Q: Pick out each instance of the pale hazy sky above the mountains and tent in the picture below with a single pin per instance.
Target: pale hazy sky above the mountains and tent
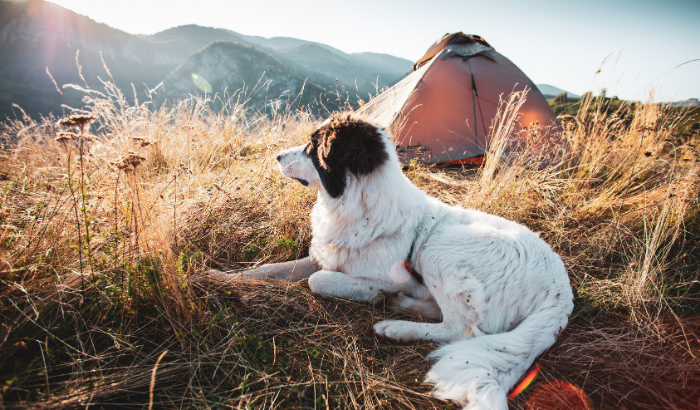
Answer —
(562, 43)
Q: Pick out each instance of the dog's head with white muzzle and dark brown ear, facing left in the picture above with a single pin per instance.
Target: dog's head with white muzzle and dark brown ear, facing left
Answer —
(343, 145)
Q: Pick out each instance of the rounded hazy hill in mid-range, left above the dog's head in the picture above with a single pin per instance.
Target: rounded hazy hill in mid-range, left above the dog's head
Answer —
(229, 66)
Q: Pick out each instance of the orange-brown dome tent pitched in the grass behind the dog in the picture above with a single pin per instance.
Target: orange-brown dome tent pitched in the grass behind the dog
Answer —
(442, 111)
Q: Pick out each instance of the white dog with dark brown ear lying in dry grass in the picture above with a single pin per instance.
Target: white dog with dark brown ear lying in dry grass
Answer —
(500, 293)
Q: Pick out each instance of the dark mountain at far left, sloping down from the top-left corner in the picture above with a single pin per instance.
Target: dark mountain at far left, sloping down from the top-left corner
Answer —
(37, 35)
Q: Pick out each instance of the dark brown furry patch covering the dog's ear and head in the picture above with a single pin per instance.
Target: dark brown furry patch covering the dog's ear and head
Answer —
(345, 143)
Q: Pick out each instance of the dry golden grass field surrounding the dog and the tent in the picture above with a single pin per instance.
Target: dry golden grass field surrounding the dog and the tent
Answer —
(110, 222)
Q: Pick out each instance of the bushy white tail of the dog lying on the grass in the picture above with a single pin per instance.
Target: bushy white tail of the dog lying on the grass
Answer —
(478, 372)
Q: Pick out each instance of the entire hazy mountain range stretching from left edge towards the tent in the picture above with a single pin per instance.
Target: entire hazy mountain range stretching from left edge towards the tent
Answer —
(37, 34)
